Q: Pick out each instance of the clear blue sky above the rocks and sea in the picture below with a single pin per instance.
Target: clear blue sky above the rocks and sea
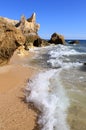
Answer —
(66, 17)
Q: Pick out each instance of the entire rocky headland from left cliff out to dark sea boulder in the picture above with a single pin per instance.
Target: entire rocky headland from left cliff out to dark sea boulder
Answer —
(22, 35)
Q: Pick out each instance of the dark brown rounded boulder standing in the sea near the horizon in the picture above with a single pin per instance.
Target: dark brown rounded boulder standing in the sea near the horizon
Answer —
(57, 39)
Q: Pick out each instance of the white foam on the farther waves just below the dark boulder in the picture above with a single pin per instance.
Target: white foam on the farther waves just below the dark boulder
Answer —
(59, 57)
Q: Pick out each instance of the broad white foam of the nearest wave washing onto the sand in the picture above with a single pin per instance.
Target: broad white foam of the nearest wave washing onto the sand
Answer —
(48, 95)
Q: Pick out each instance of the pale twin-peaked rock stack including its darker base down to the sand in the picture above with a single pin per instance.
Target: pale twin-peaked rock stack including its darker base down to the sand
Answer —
(29, 28)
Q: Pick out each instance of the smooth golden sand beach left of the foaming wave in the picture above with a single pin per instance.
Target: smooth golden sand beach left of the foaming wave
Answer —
(15, 114)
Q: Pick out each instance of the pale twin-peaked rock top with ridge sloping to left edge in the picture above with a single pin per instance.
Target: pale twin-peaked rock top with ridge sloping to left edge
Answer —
(27, 26)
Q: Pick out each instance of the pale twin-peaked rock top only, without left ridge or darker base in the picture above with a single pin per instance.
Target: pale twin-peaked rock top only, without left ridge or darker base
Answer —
(28, 26)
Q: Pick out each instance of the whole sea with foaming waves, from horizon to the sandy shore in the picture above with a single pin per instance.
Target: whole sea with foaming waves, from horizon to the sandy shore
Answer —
(58, 91)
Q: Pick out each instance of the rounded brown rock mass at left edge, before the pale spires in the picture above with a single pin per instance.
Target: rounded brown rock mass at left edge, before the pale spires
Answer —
(10, 39)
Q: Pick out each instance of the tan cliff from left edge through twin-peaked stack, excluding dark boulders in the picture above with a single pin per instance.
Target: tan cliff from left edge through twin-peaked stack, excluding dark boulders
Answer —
(14, 33)
